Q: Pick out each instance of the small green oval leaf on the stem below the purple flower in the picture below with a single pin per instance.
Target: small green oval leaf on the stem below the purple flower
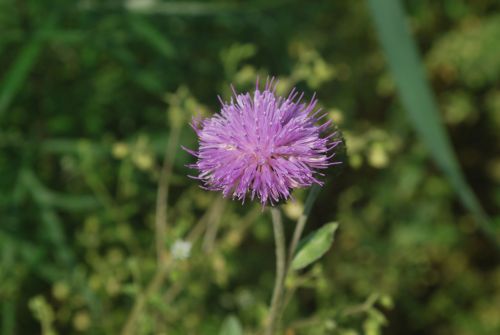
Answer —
(313, 246)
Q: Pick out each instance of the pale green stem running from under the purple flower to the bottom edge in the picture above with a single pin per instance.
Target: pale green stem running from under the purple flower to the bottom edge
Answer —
(279, 238)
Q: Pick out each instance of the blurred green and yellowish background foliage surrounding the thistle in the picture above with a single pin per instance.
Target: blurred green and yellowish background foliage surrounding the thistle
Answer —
(93, 92)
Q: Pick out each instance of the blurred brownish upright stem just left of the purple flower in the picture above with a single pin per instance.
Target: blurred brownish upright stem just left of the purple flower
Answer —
(162, 195)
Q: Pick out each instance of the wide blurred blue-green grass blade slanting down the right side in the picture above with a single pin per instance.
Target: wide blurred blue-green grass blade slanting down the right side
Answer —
(406, 67)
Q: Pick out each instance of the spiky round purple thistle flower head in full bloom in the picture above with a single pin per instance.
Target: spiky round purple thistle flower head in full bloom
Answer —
(263, 146)
